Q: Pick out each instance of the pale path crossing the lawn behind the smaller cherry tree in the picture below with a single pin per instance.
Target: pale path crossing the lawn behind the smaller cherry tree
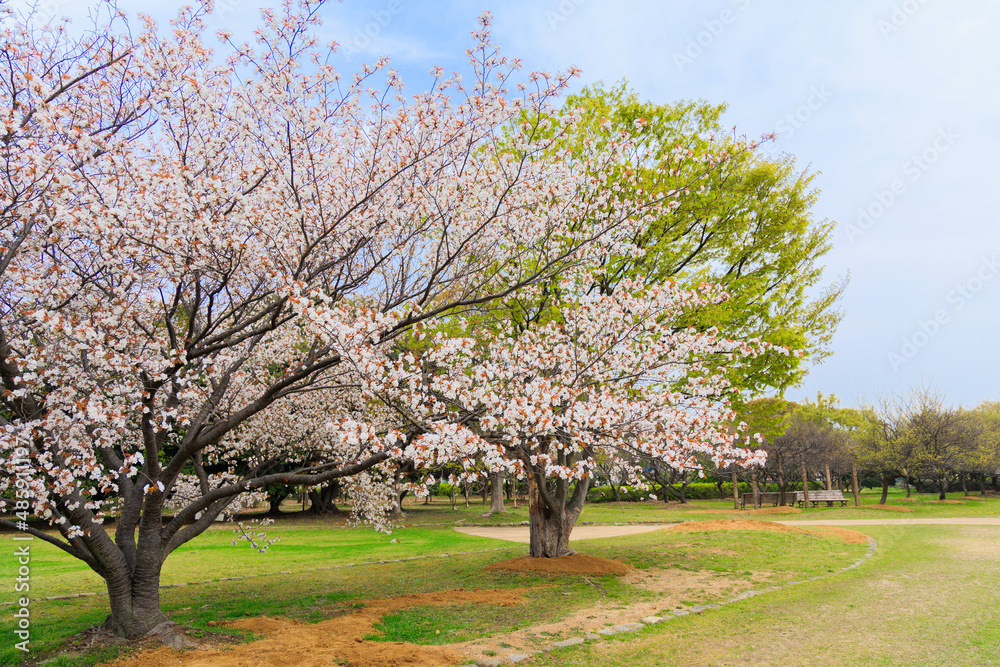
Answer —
(520, 533)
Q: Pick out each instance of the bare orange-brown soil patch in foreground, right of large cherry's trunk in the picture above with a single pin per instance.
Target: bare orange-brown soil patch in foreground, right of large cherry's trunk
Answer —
(337, 640)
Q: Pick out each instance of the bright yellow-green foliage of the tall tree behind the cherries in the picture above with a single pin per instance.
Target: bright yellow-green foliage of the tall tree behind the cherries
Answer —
(743, 221)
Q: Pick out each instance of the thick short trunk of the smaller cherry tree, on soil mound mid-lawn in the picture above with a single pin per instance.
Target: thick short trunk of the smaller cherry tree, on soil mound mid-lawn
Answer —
(552, 515)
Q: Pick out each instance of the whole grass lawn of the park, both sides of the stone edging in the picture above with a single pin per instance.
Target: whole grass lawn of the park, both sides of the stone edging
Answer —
(889, 604)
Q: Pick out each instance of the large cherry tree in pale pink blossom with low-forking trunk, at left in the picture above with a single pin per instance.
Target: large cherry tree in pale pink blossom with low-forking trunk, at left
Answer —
(193, 244)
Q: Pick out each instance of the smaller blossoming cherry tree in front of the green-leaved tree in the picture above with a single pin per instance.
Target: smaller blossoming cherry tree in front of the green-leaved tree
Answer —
(608, 378)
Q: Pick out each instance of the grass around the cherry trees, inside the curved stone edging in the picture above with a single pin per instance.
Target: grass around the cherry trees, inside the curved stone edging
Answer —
(312, 595)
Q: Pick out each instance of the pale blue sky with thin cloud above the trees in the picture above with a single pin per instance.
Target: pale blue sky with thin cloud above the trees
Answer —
(895, 102)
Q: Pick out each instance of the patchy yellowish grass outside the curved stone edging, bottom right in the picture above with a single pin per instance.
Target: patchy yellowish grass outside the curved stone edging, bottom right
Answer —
(923, 599)
